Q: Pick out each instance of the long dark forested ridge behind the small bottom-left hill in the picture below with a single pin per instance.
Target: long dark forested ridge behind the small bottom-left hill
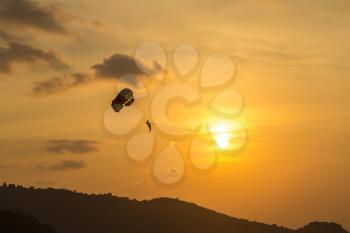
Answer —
(70, 212)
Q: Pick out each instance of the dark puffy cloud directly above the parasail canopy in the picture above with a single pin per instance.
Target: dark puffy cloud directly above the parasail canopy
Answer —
(119, 64)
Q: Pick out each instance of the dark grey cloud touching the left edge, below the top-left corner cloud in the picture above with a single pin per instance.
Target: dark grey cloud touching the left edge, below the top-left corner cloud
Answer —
(21, 53)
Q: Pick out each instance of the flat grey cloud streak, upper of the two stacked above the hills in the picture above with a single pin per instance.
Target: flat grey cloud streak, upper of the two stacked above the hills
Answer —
(73, 146)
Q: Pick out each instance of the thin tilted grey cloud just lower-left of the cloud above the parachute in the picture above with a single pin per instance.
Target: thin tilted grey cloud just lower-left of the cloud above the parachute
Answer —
(59, 84)
